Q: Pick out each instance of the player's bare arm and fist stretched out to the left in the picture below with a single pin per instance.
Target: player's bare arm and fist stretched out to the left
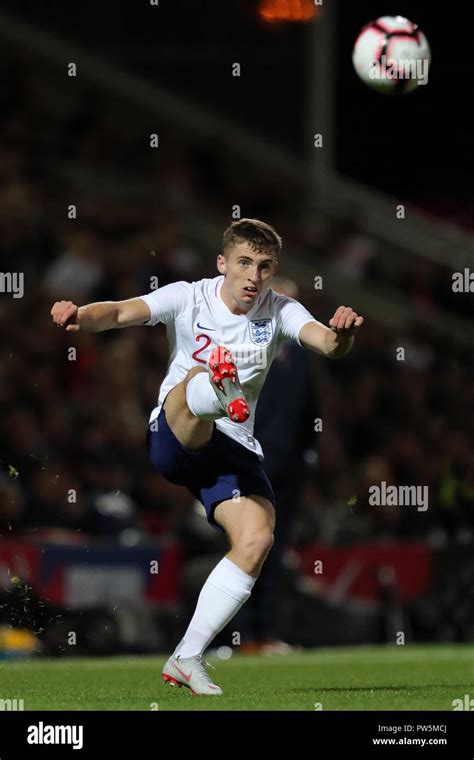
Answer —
(100, 316)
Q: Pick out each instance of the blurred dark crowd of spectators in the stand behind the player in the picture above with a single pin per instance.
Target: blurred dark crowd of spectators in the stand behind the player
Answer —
(73, 425)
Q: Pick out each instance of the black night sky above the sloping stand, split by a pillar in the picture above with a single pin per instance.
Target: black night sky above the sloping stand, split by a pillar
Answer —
(417, 146)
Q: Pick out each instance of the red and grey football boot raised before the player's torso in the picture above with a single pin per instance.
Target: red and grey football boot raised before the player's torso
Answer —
(225, 381)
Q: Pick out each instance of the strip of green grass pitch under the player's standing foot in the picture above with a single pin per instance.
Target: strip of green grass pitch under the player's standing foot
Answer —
(357, 678)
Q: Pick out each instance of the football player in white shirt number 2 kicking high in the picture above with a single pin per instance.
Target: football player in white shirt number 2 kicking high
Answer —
(223, 334)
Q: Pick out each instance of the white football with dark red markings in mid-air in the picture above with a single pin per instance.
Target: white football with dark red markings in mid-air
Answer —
(391, 55)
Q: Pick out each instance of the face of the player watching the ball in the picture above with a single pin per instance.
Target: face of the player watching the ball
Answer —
(247, 273)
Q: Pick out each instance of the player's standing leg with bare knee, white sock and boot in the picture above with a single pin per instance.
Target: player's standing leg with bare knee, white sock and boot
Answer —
(249, 524)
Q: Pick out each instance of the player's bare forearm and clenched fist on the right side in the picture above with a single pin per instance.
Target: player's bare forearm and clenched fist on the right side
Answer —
(334, 341)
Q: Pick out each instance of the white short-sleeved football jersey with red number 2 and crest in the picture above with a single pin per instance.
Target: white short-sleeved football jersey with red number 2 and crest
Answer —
(197, 320)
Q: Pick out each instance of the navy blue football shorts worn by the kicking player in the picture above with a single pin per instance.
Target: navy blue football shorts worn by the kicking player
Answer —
(221, 469)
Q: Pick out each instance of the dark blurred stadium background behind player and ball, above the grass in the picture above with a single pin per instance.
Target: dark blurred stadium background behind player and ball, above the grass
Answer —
(84, 564)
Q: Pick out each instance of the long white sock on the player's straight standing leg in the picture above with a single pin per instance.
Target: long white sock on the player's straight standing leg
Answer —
(223, 594)
